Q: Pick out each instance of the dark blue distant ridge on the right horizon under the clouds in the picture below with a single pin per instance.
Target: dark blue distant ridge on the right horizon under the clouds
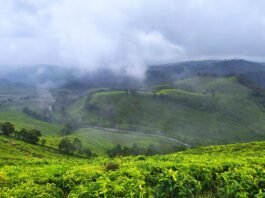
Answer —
(170, 72)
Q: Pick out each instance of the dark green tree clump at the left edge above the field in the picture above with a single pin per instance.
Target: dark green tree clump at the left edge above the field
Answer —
(31, 136)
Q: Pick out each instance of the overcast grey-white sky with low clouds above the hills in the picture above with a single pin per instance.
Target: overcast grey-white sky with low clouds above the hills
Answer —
(129, 34)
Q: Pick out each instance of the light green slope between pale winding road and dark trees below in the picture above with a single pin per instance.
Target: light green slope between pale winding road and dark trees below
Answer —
(100, 140)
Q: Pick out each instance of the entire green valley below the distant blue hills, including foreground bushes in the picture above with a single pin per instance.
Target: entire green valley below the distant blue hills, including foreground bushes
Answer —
(205, 132)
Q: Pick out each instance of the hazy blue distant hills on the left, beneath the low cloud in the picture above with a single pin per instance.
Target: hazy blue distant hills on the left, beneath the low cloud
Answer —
(74, 79)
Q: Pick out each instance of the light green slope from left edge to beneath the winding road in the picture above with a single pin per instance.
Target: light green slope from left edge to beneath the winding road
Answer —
(97, 140)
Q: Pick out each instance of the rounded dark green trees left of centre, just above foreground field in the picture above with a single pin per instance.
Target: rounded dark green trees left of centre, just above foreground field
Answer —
(68, 147)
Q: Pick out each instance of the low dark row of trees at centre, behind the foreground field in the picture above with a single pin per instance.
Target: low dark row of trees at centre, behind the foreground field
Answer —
(119, 150)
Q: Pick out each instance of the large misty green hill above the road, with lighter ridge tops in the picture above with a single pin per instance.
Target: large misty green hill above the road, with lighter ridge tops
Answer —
(195, 116)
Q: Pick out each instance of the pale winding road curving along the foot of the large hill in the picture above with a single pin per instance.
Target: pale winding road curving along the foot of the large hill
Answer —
(139, 133)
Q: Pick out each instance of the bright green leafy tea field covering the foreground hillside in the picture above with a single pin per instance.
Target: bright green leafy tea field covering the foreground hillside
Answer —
(223, 171)
